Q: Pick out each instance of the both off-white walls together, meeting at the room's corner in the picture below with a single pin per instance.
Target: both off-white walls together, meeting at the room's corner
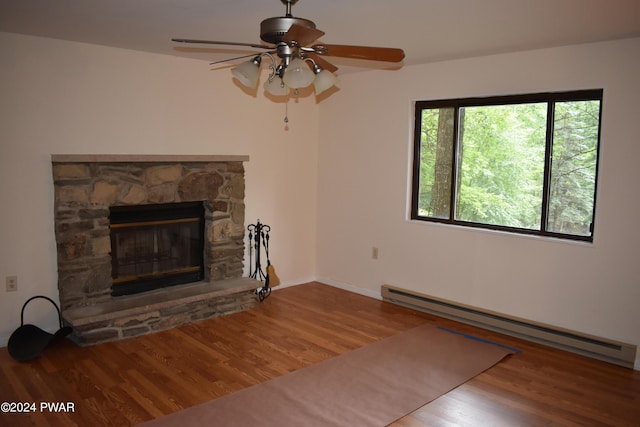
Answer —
(61, 97)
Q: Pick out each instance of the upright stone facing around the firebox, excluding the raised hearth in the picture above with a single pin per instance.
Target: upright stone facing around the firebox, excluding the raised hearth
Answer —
(86, 186)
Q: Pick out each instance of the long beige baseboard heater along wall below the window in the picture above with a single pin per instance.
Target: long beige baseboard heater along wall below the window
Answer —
(598, 348)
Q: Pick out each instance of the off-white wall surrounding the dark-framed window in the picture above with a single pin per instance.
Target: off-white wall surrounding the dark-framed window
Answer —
(364, 163)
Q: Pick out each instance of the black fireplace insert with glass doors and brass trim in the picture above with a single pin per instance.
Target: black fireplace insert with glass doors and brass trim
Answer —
(154, 246)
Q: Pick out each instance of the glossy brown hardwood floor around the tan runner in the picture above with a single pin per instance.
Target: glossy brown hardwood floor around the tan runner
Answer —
(131, 381)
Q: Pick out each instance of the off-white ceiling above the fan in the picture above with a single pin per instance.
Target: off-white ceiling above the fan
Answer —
(427, 30)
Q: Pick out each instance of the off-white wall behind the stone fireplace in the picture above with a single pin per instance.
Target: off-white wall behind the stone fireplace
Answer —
(68, 98)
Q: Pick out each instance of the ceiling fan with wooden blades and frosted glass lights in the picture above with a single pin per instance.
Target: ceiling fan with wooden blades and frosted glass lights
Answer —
(300, 61)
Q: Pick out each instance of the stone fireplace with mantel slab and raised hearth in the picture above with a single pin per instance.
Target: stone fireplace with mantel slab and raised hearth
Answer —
(89, 187)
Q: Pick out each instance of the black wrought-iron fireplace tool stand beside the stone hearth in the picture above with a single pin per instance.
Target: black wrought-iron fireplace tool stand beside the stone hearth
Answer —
(258, 241)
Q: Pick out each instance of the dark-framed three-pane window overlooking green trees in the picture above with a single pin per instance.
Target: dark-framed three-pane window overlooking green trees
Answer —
(523, 164)
